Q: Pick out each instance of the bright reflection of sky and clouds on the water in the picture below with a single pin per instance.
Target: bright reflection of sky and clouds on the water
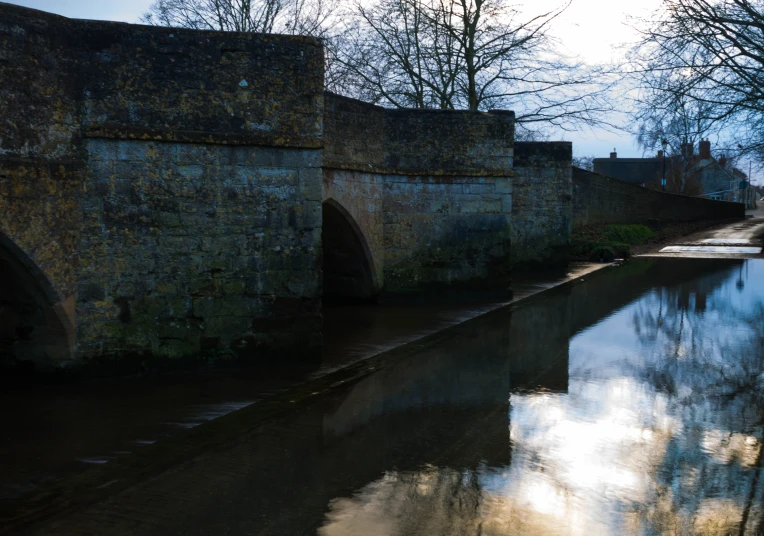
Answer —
(659, 432)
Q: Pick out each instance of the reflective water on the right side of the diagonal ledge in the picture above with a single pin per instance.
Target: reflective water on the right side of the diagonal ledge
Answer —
(631, 403)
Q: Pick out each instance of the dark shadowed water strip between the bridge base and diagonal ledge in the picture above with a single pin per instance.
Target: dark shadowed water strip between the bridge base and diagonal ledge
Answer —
(49, 433)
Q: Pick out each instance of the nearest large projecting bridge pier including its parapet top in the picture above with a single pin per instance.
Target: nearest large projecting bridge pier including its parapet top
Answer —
(211, 230)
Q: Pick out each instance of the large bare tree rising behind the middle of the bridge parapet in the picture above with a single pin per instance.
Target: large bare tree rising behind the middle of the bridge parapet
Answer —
(469, 54)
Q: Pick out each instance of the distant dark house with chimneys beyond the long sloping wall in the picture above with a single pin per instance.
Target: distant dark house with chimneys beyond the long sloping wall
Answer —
(692, 174)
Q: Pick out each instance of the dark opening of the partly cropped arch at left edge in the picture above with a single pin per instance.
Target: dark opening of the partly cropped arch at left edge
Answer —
(36, 324)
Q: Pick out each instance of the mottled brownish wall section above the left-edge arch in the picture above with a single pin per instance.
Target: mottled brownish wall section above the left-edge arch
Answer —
(40, 162)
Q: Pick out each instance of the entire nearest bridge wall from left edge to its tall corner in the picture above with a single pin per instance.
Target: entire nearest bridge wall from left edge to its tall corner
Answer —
(167, 178)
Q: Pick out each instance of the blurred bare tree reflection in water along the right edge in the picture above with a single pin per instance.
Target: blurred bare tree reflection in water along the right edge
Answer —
(710, 366)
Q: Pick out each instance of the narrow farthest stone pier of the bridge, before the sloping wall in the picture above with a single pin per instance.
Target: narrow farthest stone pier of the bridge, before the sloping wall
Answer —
(541, 203)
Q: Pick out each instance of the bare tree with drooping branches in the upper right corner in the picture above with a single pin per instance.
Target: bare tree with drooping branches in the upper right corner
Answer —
(708, 54)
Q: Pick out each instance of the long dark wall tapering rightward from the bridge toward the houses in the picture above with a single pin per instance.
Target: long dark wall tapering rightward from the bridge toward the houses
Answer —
(600, 199)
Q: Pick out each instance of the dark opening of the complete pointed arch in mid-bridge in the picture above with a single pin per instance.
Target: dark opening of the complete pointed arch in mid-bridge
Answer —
(348, 264)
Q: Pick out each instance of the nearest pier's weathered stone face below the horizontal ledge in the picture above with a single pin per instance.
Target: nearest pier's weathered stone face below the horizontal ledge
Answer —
(187, 247)
